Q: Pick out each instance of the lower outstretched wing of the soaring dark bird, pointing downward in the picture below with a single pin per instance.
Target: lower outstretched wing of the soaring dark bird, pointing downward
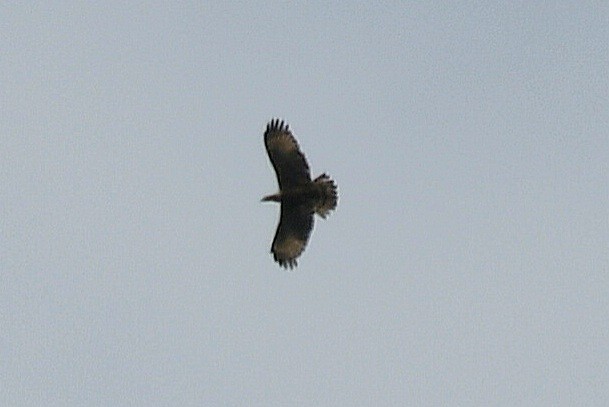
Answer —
(293, 231)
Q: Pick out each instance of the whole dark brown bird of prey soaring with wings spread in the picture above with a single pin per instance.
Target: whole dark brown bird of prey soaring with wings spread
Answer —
(299, 196)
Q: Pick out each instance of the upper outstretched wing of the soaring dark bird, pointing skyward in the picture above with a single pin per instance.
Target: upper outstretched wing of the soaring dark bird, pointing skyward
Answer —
(288, 161)
